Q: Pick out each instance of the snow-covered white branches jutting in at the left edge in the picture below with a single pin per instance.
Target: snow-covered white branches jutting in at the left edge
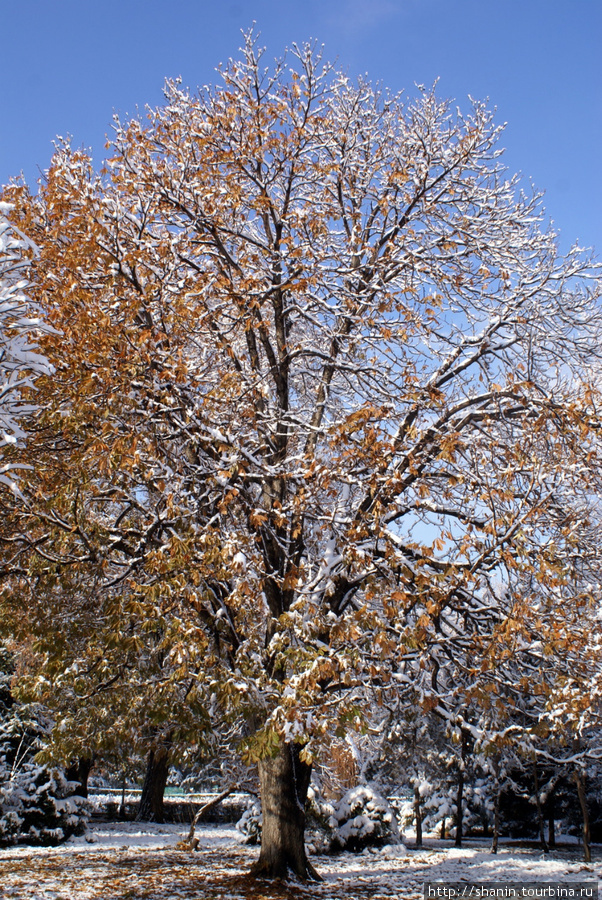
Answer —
(20, 324)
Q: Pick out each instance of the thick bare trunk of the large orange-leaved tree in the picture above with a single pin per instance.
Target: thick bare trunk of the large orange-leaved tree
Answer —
(284, 780)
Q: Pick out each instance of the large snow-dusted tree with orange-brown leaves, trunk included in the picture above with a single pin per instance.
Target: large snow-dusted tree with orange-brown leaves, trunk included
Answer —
(320, 373)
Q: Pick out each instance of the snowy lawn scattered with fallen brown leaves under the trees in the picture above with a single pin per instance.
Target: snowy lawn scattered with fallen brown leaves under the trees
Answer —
(142, 862)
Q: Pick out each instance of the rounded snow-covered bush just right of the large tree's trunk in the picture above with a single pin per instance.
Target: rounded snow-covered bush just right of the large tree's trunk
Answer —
(362, 818)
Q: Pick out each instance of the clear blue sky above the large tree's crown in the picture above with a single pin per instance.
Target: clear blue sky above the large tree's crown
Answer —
(67, 65)
